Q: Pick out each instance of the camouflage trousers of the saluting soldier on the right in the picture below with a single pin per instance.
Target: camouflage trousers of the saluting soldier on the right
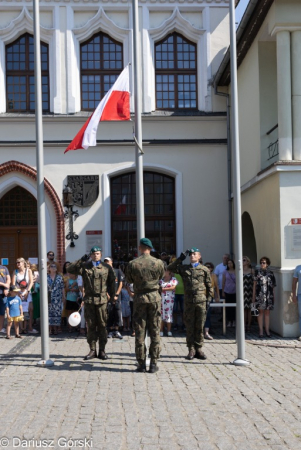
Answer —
(194, 317)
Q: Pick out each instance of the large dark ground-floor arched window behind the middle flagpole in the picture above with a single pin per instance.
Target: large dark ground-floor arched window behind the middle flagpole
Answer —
(159, 205)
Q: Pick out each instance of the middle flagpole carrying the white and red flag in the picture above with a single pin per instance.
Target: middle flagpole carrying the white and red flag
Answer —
(138, 126)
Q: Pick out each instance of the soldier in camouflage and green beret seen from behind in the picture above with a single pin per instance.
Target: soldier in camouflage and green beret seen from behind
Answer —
(145, 272)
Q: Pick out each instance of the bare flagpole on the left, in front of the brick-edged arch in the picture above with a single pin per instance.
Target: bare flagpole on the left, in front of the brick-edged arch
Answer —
(45, 361)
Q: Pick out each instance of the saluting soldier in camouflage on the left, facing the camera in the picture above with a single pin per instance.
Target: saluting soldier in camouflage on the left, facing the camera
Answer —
(99, 282)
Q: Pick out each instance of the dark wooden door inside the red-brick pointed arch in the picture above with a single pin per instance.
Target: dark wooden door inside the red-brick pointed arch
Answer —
(18, 226)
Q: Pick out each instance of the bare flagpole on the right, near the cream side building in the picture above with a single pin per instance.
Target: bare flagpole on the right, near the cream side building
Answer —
(240, 332)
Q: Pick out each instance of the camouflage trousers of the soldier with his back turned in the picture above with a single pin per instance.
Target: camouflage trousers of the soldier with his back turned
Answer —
(147, 316)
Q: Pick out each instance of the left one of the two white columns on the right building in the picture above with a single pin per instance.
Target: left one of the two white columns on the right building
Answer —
(284, 96)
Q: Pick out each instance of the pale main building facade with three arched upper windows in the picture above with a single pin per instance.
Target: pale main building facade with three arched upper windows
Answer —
(84, 47)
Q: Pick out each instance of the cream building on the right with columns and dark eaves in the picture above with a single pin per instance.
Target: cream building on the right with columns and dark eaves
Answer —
(269, 97)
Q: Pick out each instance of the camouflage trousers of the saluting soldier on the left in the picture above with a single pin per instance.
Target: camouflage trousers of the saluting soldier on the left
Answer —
(96, 318)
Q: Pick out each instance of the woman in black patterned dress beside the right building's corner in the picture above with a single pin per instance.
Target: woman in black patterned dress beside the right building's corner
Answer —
(263, 294)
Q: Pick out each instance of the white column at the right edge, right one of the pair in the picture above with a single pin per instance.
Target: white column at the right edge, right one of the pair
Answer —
(296, 93)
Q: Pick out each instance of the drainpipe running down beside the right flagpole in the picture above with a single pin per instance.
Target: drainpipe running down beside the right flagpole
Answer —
(229, 165)
